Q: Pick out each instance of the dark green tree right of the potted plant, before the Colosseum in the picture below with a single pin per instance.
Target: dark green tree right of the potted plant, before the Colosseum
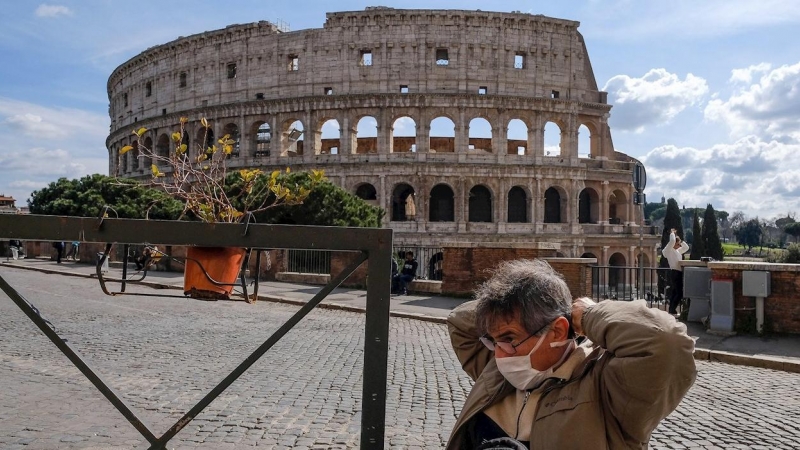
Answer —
(326, 204)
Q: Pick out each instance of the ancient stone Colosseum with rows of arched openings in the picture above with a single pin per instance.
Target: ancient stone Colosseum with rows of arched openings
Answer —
(437, 116)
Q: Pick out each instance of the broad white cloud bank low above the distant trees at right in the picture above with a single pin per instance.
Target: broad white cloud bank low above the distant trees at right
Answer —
(753, 175)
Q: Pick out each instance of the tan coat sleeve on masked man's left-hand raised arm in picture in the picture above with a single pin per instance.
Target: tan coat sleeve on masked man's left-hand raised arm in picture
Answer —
(473, 355)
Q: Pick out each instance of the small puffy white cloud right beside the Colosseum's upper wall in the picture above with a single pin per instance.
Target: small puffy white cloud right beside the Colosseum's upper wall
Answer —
(654, 99)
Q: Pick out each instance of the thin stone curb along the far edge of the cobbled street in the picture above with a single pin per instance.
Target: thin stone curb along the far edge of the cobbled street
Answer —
(702, 354)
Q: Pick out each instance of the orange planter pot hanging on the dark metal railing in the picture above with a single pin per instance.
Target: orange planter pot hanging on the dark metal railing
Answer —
(221, 263)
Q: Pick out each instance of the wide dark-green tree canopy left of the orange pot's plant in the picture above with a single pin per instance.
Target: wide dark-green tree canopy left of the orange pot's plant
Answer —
(87, 196)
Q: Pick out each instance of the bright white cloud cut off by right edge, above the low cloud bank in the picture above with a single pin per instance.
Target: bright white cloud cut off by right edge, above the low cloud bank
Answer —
(770, 107)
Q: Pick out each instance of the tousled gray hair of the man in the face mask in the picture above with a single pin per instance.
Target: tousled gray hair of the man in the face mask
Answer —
(528, 290)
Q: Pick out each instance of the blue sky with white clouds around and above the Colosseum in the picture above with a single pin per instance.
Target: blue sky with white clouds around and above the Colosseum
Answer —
(705, 93)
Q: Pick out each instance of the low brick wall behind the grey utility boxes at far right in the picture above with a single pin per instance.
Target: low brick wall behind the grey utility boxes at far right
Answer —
(781, 308)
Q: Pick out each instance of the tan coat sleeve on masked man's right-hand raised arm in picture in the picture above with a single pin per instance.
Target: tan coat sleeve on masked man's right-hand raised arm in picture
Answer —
(651, 366)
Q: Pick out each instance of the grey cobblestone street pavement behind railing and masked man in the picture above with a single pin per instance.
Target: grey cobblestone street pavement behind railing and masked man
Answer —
(163, 354)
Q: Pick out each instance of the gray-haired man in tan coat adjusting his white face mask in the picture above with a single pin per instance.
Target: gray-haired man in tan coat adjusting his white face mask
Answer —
(539, 384)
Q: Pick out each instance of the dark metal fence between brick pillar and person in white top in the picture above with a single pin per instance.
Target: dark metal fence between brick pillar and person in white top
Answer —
(631, 283)
